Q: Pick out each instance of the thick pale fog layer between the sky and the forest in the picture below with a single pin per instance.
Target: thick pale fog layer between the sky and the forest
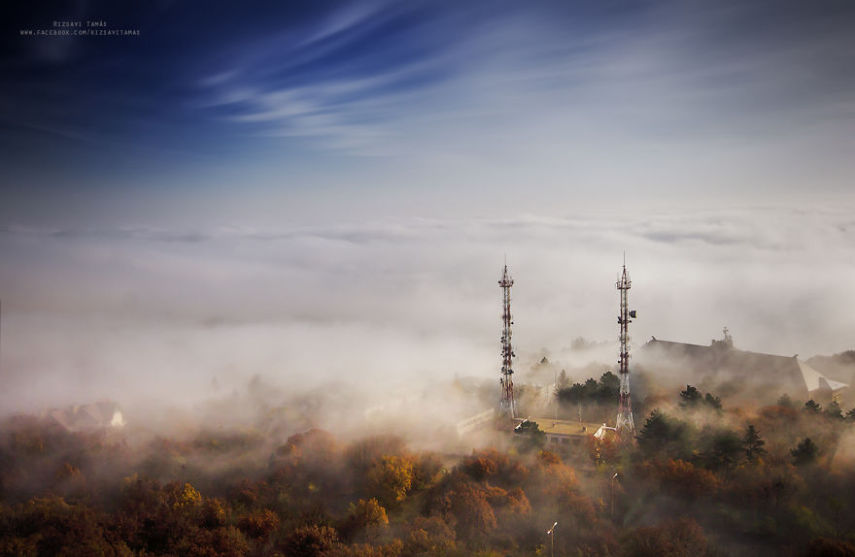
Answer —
(182, 315)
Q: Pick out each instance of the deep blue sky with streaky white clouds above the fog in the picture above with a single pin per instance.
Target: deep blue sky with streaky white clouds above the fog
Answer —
(220, 107)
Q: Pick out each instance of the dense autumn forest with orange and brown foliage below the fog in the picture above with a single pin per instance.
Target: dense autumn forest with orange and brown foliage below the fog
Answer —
(698, 478)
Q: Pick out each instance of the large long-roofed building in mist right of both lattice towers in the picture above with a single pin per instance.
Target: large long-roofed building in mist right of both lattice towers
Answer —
(737, 373)
